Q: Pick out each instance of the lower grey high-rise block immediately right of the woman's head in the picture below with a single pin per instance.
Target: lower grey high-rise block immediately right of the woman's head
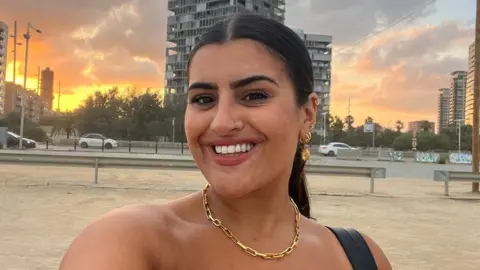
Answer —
(320, 50)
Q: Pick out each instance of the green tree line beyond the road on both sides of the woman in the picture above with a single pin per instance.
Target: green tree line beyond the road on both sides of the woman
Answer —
(144, 116)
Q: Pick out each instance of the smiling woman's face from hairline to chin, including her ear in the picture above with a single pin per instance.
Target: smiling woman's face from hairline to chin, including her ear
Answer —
(242, 122)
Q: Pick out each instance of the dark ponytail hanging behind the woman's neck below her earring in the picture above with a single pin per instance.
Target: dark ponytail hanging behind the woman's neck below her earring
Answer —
(297, 185)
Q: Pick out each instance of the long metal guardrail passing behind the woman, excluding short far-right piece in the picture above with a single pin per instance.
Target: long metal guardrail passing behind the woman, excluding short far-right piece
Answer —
(104, 160)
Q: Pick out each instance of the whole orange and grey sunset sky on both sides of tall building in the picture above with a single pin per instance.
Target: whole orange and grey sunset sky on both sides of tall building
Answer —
(94, 45)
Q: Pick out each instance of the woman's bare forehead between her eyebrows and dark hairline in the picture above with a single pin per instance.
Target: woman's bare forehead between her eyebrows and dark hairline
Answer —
(233, 60)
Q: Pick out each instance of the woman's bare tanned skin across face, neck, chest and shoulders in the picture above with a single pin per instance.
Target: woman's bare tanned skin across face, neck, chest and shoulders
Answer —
(251, 199)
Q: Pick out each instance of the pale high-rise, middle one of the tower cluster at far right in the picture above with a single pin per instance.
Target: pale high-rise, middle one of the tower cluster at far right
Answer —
(458, 85)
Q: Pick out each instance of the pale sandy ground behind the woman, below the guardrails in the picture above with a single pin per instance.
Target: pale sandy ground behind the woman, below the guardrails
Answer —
(43, 208)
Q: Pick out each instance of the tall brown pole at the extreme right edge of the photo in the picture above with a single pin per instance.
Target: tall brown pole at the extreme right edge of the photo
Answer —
(476, 101)
